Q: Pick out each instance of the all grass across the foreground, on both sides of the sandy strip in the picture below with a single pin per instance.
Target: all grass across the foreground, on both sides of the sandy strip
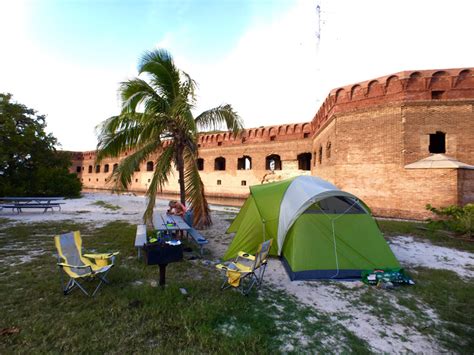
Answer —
(133, 314)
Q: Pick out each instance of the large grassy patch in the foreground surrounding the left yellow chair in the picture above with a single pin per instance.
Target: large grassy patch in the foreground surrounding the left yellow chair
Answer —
(130, 315)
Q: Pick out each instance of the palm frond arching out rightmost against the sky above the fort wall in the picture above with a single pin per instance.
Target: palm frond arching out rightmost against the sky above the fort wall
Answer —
(215, 119)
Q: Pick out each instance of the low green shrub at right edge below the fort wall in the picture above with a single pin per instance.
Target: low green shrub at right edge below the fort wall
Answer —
(455, 218)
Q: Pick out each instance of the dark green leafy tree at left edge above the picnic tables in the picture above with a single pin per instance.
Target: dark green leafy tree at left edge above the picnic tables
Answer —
(30, 165)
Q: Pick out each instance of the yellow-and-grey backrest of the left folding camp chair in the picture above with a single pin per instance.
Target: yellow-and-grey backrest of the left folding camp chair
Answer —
(69, 248)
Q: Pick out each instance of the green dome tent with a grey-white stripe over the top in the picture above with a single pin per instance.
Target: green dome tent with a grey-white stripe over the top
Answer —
(319, 231)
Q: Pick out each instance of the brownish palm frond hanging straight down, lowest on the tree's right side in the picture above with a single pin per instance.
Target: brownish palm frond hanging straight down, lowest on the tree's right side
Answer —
(195, 191)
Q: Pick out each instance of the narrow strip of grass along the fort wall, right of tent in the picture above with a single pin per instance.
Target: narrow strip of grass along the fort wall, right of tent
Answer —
(420, 230)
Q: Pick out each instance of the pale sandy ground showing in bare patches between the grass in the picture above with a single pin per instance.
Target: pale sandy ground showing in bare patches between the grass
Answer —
(333, 298)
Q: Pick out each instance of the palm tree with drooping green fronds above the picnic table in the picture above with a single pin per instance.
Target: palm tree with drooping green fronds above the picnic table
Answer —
(156, 121)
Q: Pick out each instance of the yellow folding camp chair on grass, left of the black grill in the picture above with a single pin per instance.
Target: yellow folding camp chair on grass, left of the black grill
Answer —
(80, 267)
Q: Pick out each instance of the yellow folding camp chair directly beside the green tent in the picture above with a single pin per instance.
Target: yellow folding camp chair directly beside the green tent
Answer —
(246, 270)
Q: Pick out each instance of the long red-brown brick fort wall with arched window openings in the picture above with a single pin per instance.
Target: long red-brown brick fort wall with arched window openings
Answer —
(360, 139)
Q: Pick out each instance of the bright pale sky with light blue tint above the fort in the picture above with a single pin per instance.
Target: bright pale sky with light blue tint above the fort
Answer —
(275, 61)
